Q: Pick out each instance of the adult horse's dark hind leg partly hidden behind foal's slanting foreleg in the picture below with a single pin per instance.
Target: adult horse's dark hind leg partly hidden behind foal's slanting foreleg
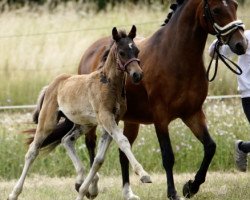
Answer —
(90, 141)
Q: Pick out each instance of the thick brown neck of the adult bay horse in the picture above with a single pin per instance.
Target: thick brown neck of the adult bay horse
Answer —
(184, 32)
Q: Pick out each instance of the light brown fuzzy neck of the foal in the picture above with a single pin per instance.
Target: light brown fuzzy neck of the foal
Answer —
(110, 67)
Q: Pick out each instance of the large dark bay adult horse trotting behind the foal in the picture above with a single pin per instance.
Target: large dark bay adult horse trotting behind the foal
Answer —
(175, 83)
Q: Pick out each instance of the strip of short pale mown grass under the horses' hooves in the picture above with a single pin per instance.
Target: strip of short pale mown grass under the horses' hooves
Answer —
(219, 186)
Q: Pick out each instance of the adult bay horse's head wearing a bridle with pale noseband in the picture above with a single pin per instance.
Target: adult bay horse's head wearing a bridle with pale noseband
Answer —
(220, 19)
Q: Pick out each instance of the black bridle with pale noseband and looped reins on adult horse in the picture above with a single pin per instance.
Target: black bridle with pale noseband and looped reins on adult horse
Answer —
(221, 31)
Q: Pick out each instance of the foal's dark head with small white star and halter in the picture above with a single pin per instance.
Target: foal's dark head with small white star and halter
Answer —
(127, 53)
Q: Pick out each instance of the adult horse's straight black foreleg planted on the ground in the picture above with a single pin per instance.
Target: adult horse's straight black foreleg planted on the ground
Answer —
(167, 158)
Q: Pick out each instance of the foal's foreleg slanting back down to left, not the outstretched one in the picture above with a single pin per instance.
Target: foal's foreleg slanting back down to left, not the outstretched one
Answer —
(98, 161)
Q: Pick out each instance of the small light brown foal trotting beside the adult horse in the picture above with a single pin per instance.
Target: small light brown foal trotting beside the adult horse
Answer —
(88, 100)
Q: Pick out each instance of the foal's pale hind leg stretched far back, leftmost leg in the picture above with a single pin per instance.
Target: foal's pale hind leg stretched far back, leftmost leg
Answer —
(47, 122)
